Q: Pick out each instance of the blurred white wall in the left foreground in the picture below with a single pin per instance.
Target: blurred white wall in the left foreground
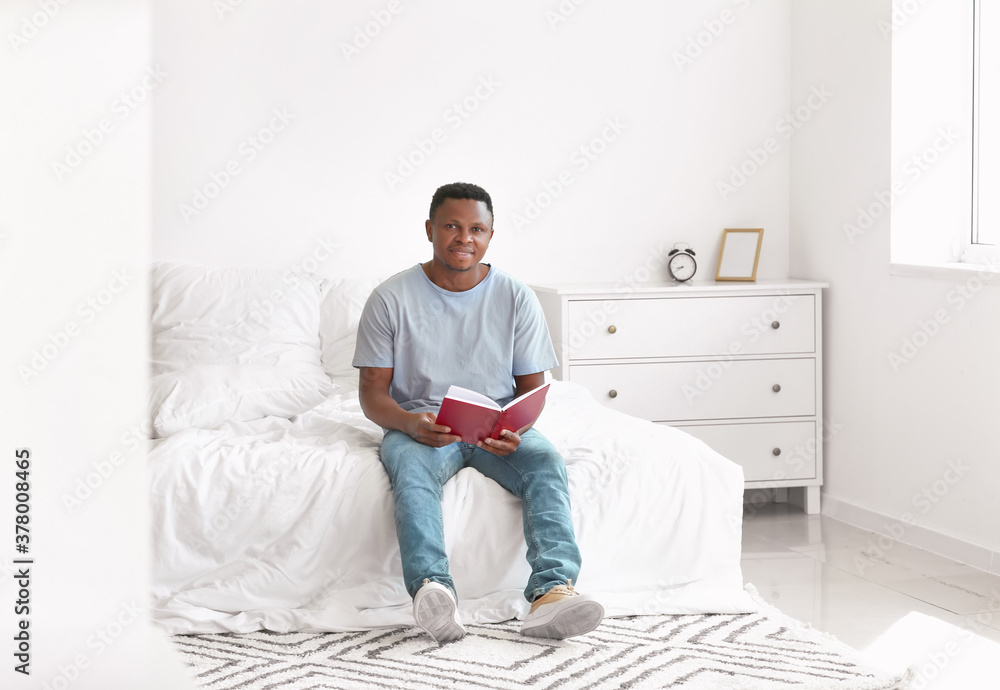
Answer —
(74, 245)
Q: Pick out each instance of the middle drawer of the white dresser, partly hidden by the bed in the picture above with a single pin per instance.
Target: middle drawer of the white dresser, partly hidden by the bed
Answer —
(701, 390)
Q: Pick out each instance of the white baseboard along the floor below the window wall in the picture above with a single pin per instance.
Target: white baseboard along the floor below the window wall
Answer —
(915, 535)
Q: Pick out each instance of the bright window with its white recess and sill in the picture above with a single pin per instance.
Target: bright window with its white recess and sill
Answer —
(945, 131)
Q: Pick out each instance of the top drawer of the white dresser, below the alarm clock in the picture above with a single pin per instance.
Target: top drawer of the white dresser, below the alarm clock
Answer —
(691, 327)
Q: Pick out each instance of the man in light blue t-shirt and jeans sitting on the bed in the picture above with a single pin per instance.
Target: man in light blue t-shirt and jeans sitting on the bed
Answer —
(456, 320)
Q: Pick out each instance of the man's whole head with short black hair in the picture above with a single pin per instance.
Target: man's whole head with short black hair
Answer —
(460, 227)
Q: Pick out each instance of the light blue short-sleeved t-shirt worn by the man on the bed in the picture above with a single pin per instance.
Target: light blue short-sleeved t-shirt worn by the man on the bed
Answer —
(433, 338)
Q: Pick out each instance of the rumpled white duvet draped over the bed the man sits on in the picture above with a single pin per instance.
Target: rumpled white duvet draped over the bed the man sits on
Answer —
(287, 524)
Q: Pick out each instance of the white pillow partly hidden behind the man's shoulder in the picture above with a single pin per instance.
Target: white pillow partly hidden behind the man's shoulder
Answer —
(340, 312)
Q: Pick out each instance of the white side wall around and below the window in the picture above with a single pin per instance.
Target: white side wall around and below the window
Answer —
(913, 444)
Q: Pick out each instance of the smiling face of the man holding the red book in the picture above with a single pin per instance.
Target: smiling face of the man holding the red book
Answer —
(460, 232)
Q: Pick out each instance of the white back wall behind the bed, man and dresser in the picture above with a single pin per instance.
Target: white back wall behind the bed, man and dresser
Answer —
(554, 86)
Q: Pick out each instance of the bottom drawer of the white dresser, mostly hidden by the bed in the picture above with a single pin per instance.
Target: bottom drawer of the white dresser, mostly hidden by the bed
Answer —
(754, 445)
